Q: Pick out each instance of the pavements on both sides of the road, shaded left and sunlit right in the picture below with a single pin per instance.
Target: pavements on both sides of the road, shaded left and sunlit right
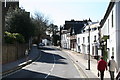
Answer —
(78, 58)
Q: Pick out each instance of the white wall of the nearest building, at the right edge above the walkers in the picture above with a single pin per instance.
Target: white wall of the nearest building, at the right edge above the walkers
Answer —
(113, 32)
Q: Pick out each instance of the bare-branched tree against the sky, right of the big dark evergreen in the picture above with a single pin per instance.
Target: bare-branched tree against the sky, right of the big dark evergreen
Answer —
(41, 25)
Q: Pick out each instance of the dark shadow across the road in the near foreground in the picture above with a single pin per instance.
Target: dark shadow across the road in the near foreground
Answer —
(31, 75)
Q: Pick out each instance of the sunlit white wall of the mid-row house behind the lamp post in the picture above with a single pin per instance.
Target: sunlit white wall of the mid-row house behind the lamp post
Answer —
(84, 46)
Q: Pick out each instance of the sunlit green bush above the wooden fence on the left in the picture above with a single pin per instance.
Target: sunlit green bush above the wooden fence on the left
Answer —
(14, 37)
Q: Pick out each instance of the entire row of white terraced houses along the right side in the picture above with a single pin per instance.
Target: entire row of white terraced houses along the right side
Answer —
(104, 36)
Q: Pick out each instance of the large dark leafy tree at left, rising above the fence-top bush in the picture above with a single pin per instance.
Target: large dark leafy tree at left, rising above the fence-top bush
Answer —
(18, 21)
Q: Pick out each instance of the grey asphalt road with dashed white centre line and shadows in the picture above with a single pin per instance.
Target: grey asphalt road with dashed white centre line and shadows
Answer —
(53, 63)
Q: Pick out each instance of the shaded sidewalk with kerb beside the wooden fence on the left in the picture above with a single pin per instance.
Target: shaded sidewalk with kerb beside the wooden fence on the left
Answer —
(16, 65)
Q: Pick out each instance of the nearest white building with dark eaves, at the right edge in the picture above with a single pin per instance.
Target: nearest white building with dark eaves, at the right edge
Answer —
(110, 28)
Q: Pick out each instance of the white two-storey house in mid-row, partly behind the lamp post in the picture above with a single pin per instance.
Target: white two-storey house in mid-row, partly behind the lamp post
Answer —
(83, 39)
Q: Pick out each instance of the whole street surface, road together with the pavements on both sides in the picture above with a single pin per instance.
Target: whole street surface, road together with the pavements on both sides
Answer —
(54, 63)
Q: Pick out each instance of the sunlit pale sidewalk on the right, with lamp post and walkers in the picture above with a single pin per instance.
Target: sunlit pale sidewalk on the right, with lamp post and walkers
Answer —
(80, 60)
